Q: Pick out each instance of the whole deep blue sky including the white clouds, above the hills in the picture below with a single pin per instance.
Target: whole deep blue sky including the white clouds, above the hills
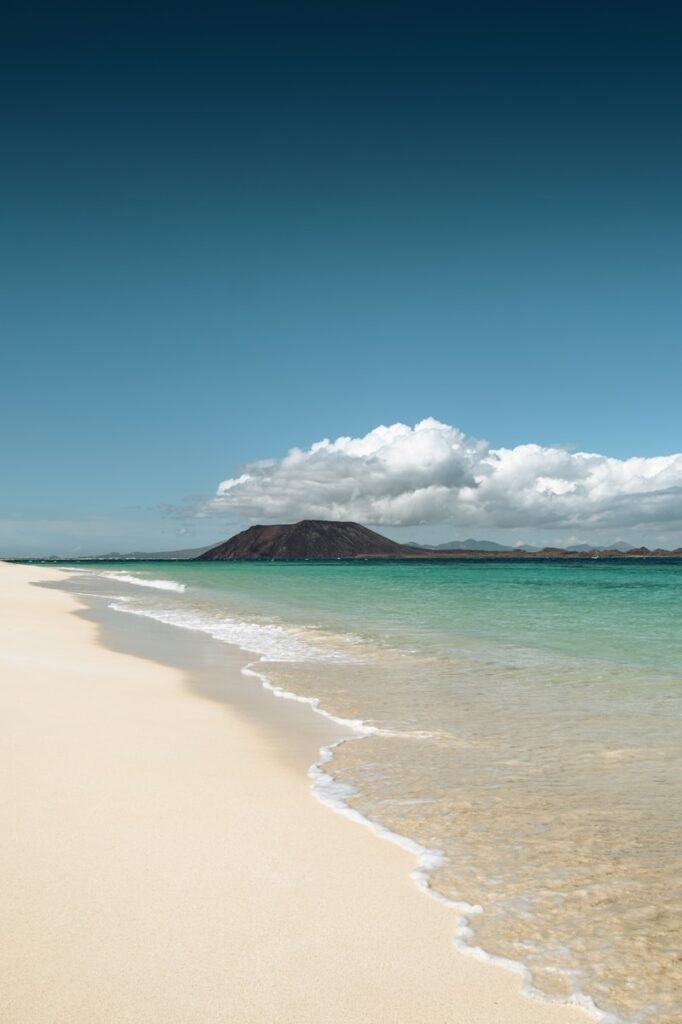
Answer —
(230, 232)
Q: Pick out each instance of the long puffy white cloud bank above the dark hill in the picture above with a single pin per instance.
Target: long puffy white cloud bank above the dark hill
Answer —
(433, 474)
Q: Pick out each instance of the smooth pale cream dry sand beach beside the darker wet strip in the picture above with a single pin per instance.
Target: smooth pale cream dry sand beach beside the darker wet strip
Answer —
(163, 862)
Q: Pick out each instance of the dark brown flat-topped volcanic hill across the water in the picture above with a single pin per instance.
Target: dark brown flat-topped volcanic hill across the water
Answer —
(315, 539)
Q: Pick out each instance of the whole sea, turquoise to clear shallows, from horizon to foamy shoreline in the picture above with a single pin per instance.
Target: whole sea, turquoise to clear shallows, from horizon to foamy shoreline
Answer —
(528, 723)
